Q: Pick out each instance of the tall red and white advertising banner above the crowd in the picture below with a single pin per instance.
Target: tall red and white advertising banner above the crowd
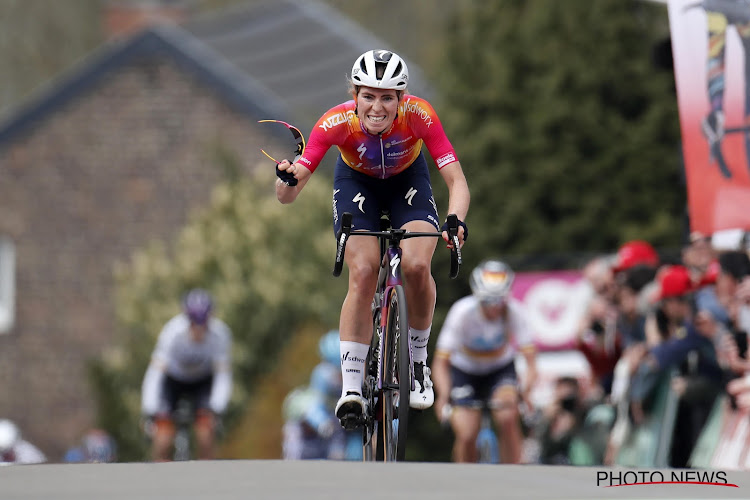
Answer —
(711, 47)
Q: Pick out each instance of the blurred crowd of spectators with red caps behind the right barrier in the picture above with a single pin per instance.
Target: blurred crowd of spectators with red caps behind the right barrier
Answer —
(667, 345)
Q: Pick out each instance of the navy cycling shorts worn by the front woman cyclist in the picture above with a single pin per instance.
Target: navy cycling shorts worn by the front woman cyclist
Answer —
(407, 196)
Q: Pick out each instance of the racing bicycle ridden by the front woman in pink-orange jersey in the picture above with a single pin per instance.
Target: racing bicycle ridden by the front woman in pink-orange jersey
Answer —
(389, 370)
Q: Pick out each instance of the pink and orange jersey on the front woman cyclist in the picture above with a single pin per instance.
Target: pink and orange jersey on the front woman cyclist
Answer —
(384, 155)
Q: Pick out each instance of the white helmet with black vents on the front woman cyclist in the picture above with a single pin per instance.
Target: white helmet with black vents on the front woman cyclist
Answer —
(381, 69)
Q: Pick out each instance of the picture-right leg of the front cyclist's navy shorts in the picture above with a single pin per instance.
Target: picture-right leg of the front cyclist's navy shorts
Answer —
(410, 197)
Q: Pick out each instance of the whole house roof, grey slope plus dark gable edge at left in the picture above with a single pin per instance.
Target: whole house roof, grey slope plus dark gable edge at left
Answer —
(272, 59)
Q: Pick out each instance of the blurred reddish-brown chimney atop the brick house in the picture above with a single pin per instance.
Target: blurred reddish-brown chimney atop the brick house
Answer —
(125, 17)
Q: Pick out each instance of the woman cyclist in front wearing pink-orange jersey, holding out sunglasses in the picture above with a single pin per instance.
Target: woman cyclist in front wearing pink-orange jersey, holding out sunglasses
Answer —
(379, 135)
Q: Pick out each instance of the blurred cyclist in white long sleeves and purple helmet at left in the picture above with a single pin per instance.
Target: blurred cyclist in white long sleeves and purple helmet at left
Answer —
(191, 361)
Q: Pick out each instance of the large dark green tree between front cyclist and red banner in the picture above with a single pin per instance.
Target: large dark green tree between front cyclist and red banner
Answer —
(567, 132)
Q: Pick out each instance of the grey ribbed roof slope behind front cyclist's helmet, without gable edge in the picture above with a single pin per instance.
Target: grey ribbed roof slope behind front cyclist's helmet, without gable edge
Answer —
(300, 50)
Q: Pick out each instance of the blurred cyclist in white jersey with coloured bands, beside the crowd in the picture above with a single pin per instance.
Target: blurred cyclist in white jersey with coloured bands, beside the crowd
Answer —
(474, 363)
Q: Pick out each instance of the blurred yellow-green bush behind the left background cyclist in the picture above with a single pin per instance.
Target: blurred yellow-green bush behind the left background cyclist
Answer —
(269, 268)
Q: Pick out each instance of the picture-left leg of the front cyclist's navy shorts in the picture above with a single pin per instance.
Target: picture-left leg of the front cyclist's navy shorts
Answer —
(356, 193)
